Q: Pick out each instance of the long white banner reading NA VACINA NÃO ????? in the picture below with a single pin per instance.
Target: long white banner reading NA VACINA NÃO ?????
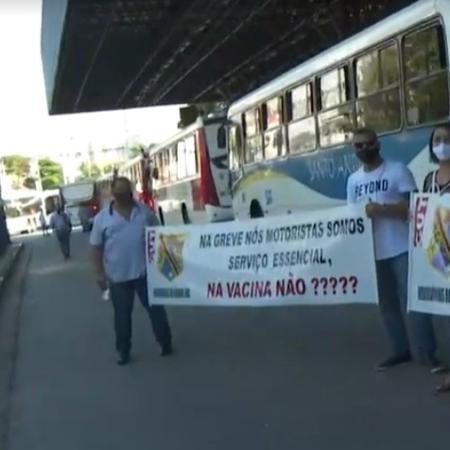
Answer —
(317, 258)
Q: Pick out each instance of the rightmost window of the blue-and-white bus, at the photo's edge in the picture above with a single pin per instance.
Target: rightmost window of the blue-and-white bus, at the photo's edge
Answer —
(426, 79)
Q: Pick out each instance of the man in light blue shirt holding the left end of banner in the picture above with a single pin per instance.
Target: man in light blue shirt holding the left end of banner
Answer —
(118, 242)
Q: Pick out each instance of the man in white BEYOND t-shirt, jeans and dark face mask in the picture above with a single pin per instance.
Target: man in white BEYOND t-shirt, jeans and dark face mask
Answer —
(384, 186)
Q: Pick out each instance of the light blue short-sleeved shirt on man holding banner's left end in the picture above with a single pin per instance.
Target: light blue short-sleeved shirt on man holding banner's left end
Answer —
(123, 241)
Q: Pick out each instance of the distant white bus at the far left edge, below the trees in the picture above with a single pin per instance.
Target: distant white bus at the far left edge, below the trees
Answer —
(22, 212)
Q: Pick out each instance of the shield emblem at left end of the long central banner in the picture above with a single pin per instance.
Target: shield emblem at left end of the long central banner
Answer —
(170, 255)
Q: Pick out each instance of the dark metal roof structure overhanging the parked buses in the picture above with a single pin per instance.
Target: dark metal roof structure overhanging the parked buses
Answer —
(112, 54)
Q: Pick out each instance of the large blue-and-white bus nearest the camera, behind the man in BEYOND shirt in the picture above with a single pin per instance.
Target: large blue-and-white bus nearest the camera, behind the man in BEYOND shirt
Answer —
(289, 141)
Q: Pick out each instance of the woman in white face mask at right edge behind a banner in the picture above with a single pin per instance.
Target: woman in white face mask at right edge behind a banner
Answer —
(438, 182)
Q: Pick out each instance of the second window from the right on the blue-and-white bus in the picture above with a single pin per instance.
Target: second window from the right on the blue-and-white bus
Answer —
(378, 90)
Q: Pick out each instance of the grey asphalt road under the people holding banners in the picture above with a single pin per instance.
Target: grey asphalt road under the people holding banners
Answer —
(254, 379)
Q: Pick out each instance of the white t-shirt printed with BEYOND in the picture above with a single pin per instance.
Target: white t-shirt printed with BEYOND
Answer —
(386, 185)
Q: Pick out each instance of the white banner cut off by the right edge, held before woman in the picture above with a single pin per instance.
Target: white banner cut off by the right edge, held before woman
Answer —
(429, 254)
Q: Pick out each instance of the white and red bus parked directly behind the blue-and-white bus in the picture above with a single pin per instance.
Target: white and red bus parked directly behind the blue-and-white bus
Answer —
(186, 178)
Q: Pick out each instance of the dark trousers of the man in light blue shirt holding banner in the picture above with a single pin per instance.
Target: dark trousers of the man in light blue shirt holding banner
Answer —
(122, 296)
